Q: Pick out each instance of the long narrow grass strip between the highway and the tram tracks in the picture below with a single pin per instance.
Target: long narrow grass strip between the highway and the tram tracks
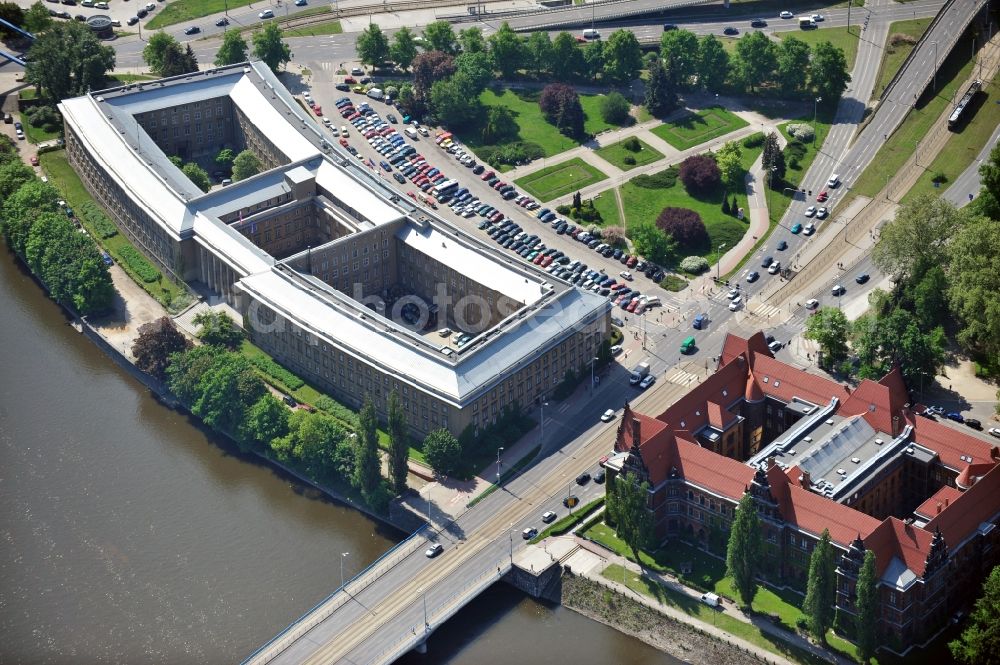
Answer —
(900, 147)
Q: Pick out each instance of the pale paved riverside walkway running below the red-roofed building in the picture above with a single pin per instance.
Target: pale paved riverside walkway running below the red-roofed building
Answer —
(591, 560)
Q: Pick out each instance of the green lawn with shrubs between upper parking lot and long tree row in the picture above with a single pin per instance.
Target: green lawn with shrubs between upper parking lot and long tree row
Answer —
(532, 125)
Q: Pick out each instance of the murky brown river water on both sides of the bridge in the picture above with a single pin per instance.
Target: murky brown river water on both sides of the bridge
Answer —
(131, 535)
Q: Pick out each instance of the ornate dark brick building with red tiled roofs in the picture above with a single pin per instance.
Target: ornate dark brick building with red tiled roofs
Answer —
(922, 495)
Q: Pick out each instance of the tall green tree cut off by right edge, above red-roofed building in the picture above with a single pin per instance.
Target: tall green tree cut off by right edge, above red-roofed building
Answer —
(972, 269)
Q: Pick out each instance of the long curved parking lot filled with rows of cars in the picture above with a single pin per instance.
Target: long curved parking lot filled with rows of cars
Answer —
(420, 161)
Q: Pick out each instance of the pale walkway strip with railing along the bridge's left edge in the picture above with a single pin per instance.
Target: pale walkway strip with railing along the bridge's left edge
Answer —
(337, 599)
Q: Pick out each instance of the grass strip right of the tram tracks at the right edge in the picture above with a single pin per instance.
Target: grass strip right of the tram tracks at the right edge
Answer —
(963, 145)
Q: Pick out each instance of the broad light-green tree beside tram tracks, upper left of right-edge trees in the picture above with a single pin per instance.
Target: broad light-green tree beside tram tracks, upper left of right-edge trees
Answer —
(916, 238)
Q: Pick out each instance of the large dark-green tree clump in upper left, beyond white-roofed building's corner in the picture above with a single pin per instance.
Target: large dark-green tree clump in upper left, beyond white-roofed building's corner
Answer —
(66, 60)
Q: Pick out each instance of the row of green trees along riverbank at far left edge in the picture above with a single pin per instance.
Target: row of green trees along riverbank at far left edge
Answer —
(37, 229)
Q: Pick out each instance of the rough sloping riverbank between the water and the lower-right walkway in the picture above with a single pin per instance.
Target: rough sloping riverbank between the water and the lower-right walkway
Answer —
(599, 603)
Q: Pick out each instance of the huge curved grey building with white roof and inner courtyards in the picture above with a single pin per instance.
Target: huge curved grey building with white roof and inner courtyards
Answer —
(343, 281)
